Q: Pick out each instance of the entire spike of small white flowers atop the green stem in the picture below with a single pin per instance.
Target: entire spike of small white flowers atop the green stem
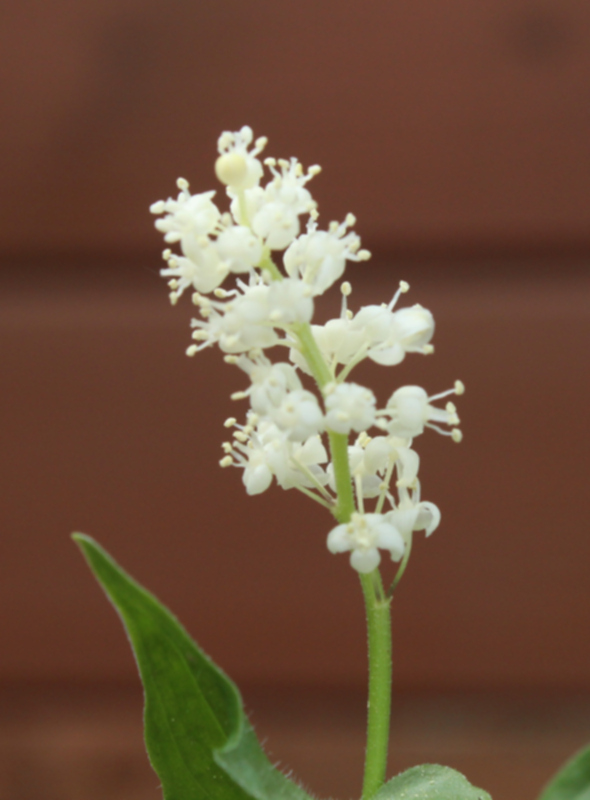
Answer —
(287, 428)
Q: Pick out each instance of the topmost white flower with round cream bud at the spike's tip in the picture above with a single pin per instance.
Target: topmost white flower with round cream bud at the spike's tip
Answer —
(237, 167)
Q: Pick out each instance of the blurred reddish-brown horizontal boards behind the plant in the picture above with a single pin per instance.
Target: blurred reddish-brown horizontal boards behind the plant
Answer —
(459, 135)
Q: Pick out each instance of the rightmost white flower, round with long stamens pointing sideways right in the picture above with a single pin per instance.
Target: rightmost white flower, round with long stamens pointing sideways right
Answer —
(410, 411)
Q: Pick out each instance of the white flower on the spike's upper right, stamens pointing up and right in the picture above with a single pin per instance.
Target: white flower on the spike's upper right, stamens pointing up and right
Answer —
(319, 257)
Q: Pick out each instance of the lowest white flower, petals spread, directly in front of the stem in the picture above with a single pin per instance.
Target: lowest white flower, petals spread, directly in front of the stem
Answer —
(364, 535)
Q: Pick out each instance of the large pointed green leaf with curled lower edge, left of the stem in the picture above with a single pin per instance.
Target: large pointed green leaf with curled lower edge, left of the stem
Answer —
(197, 736)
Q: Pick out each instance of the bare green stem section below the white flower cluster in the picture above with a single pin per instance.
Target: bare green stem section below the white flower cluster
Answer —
(379, 706)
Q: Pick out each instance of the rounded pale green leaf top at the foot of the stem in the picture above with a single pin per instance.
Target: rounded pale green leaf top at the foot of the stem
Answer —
(430, 782)
